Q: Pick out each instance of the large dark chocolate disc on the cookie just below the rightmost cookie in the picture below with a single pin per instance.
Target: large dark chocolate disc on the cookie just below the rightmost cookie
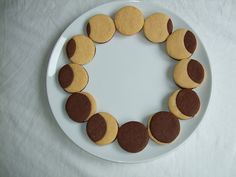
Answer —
(188, 102)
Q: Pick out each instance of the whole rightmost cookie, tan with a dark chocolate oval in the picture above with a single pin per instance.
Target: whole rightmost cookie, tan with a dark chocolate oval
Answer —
(188, 73)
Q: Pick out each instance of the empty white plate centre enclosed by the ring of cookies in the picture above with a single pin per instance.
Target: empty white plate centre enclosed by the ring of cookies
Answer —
(130, 77)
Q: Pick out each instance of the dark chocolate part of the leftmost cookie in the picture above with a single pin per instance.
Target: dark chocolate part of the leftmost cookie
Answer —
(65, 77)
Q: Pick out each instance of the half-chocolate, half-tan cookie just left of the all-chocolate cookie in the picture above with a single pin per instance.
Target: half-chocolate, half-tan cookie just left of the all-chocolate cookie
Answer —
(102, 128)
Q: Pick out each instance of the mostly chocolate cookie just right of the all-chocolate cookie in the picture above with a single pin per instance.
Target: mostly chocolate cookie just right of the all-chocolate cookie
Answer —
(163, 127)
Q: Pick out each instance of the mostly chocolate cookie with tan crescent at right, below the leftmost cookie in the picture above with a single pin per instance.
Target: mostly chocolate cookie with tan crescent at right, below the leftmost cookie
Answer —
(80, 106)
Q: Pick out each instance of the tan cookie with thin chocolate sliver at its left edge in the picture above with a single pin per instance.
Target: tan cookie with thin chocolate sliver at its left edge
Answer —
(101, 28)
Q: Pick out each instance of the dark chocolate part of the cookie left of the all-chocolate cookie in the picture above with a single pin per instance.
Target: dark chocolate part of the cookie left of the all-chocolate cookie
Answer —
(96, 127)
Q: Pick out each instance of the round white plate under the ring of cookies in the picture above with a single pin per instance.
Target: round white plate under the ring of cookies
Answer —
(130, 78)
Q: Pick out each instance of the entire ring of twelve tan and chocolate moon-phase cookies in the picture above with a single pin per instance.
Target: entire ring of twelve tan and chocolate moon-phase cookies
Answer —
(162, 127)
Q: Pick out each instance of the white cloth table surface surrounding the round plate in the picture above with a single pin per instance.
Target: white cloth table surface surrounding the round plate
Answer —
(31, 142)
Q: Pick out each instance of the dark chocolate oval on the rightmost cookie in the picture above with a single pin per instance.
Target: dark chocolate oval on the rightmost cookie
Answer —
(195, 71)
